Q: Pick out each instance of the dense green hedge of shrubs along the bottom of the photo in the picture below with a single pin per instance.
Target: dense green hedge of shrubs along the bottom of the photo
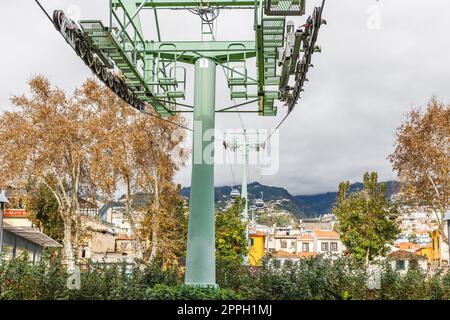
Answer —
(315, 278)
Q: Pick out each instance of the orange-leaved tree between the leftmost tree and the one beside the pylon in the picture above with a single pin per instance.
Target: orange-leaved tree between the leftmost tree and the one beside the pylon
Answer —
(113, 166)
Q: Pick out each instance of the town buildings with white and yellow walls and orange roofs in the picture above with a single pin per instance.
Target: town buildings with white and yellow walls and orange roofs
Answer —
(274, 232)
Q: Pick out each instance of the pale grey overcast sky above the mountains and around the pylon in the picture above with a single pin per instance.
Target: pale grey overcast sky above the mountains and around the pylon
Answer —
(363, 83)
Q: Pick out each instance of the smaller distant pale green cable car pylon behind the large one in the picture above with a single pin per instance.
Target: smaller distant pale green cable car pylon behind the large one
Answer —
(245, 142)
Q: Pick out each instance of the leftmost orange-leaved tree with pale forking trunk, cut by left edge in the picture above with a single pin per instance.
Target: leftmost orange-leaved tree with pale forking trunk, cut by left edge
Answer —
(46, 141)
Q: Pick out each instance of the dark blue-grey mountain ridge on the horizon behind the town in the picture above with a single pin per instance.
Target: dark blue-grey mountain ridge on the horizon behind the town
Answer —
(301, 206)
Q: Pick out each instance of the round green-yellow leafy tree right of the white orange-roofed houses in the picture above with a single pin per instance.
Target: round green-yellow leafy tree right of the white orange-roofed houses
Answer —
(367, 221)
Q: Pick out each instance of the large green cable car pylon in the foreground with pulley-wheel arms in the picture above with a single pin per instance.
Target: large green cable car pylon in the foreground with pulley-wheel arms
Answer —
(149, 73)
